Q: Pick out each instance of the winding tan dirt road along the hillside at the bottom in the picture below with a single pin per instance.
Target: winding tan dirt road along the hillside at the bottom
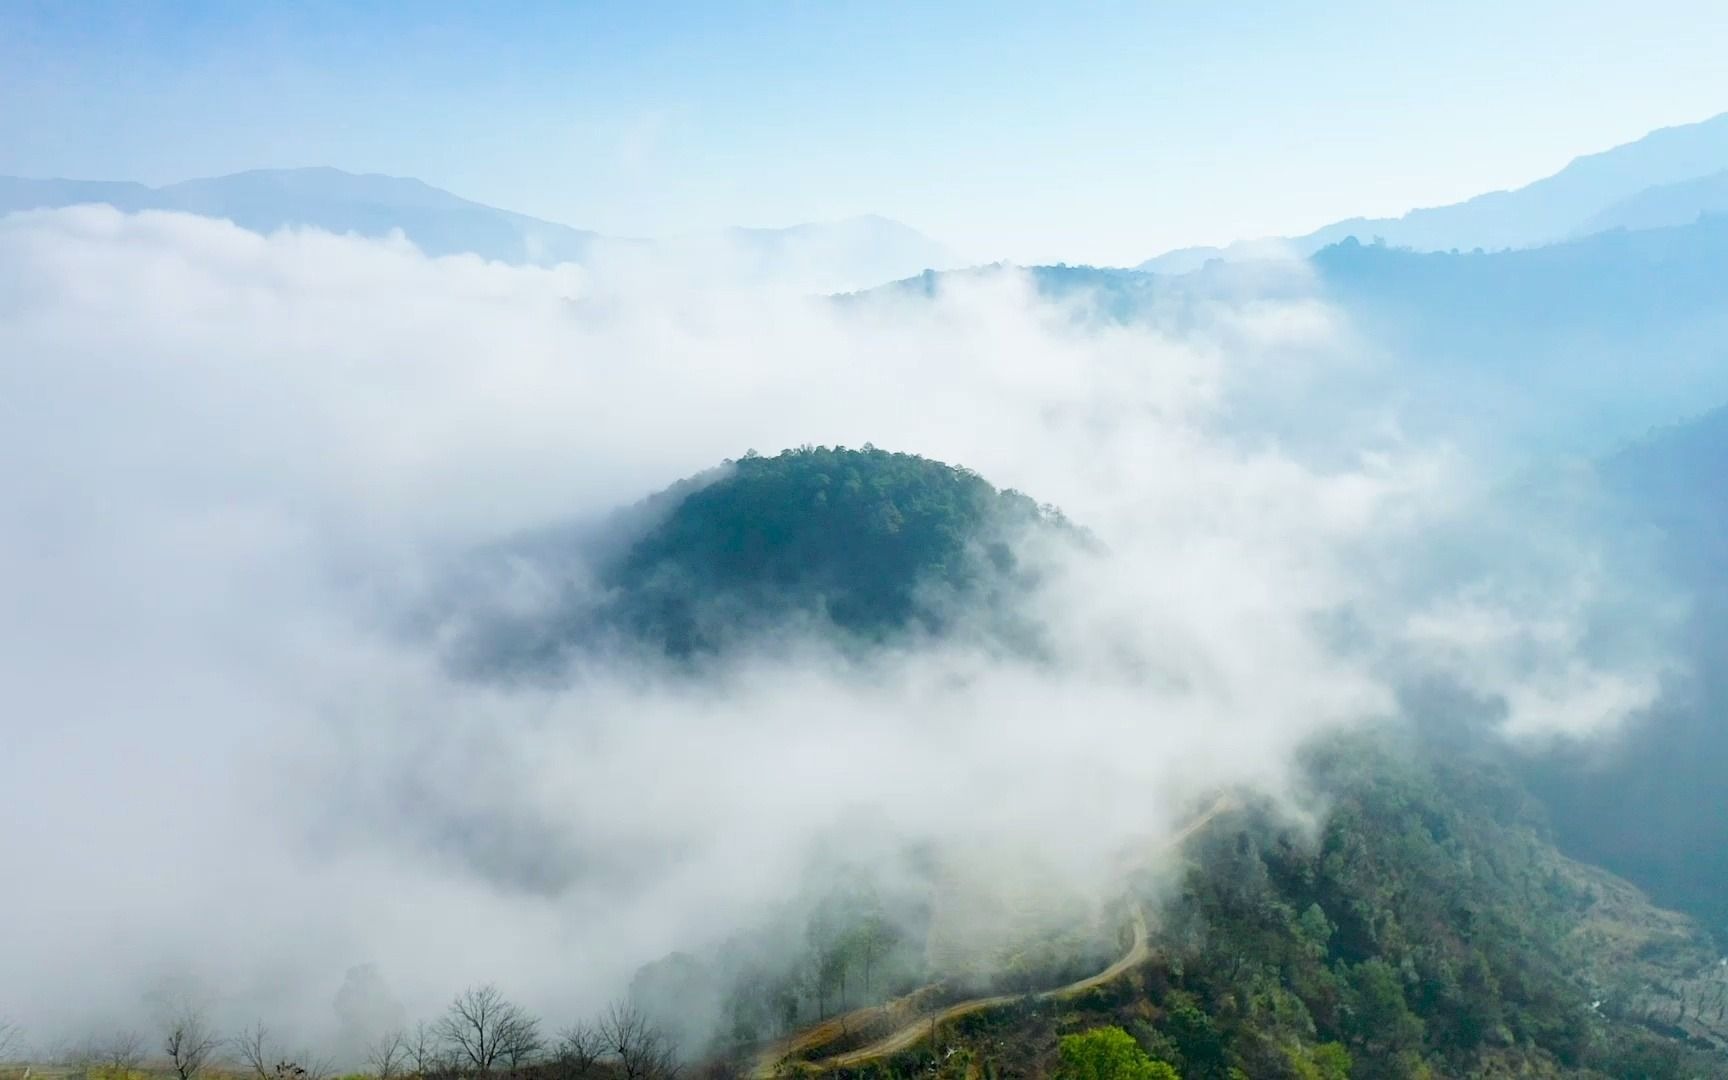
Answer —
(908, 1036)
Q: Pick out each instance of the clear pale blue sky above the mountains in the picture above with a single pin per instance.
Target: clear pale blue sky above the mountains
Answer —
(1095, 132)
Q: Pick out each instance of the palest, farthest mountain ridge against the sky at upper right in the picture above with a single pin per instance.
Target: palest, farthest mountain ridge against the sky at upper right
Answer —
(1549, 210)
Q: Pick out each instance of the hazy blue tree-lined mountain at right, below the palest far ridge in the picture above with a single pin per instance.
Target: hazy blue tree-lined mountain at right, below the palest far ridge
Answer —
(1561, 350)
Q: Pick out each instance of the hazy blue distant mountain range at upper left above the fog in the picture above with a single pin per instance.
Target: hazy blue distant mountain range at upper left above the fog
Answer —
(822, 257)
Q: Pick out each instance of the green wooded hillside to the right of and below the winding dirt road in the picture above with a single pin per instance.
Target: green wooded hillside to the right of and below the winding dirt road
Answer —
(1426, 931)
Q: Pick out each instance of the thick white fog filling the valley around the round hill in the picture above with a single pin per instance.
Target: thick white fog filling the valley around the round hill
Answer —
(238, 464)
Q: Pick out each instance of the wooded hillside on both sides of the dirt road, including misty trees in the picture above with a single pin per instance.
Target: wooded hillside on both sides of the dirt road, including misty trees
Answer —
(1425, 929)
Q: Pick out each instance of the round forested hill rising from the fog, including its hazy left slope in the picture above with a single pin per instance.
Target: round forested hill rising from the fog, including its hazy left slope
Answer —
(858, 547)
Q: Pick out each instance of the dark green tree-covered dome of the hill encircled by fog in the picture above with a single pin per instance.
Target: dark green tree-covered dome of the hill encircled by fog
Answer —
(870, 542)
